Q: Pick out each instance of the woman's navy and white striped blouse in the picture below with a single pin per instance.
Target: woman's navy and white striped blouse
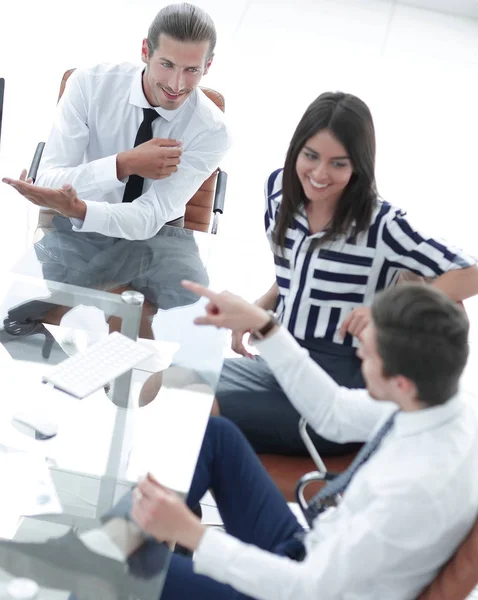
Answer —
(318, 289)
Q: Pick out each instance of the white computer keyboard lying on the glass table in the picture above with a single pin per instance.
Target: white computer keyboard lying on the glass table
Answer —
(101, 363)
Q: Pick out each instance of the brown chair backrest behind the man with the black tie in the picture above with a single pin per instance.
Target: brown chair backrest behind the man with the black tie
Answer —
(199, 207)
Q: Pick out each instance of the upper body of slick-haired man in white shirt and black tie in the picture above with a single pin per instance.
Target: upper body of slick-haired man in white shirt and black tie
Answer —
(130, 146)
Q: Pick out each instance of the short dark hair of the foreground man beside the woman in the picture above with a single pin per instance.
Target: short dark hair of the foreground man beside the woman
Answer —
(422, 335)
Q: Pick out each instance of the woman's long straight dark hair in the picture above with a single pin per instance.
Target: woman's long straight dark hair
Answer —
(350, 121)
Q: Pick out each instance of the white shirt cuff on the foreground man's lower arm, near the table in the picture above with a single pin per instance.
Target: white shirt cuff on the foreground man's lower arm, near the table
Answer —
(214, 554)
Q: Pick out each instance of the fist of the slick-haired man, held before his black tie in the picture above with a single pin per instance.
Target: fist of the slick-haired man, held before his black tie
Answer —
(155, 159)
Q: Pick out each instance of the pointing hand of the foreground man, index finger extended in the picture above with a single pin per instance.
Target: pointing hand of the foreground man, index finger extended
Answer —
(228, 310)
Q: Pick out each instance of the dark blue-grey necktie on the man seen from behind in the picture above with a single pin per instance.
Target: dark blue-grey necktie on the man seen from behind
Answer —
(327, 494)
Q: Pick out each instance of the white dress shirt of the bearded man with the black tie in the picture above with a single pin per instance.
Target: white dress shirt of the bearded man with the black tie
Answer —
(98, 116)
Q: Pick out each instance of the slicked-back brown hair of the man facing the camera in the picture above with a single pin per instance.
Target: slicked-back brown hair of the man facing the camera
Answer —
(185, 23)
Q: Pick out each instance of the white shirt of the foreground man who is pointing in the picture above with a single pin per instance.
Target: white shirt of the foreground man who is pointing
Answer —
(403, 515)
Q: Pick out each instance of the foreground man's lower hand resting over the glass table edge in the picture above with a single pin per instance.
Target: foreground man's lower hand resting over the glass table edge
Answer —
(163, 515)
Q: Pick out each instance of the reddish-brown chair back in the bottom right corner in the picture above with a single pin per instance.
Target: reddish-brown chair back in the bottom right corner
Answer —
(459, 576)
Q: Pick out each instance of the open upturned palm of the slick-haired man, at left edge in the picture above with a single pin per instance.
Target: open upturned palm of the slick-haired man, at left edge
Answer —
(63, 200)
